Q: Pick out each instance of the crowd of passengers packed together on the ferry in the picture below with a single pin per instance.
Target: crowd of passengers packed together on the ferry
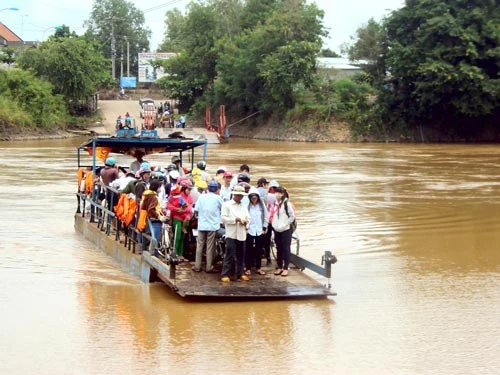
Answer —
(248, 213)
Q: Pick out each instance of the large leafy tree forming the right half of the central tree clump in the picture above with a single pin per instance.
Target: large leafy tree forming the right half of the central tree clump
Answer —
(263, 67)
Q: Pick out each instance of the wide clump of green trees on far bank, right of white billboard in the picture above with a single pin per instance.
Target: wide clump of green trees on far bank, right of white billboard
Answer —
(250, 55)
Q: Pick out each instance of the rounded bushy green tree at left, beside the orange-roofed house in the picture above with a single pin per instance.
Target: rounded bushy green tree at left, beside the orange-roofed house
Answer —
(74, 66)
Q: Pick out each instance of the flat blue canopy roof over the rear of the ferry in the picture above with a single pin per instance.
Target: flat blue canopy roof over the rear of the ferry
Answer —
(147, 145)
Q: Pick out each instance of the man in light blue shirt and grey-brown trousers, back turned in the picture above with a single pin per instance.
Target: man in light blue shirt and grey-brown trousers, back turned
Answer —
(208, 207)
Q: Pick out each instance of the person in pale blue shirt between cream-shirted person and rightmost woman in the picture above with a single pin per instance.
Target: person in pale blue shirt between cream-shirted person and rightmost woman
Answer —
(259, 218)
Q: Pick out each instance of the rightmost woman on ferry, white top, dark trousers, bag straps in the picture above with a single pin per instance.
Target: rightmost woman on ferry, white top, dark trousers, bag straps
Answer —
(283, 216)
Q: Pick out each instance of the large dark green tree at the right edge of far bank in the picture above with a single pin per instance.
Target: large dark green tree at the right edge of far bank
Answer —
(444, 56)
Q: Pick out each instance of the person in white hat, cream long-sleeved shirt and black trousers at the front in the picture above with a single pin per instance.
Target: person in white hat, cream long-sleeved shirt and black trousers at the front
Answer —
(235, 217)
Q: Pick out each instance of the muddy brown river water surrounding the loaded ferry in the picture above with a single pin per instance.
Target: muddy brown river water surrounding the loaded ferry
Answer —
(416, 230)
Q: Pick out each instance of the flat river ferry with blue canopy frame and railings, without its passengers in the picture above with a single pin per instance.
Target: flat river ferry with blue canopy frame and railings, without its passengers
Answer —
(156, 262)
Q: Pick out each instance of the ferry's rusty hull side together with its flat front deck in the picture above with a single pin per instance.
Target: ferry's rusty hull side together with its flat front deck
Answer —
(200, 285)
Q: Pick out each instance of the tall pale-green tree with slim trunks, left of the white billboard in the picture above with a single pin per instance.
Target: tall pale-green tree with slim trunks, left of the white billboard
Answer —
(113, 23)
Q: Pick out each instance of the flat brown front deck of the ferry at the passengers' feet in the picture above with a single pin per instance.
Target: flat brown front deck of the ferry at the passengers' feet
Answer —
(188, 283)
